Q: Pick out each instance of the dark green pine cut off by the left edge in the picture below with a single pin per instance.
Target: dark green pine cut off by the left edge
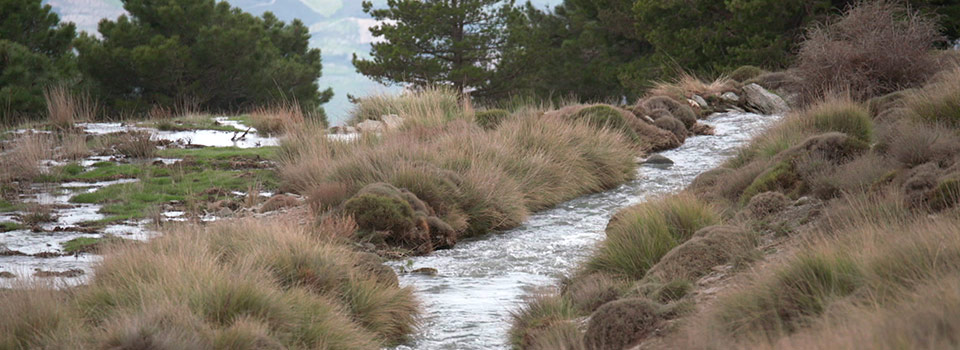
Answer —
(35, 51)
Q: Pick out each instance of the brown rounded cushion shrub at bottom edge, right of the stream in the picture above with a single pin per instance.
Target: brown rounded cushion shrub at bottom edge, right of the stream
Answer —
(618, 324)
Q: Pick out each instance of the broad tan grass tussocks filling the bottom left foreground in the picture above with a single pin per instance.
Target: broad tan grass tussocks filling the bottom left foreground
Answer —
(244, 284)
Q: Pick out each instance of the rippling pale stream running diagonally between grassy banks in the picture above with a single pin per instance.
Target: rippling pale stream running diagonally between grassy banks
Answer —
(480, 281)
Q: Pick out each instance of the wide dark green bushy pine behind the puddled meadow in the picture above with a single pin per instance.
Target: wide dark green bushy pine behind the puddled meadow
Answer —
(200, 54)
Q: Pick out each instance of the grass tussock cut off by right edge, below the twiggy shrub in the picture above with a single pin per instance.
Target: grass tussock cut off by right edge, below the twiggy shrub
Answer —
(937, 103)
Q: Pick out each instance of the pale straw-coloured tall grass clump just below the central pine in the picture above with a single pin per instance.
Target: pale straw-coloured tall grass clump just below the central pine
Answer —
(431, 106)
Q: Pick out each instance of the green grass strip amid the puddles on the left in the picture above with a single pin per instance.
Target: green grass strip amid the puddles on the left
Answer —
(132, 200)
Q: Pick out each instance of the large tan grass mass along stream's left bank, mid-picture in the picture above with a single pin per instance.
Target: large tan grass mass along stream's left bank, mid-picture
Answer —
(459, 176)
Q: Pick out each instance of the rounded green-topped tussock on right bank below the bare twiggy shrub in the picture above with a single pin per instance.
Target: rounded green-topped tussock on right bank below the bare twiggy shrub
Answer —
(843, 116)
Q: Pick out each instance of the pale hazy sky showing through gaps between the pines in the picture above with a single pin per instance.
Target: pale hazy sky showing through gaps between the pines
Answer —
(337, 27)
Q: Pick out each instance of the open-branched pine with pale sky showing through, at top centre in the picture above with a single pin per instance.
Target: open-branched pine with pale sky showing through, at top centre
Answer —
(422, 50)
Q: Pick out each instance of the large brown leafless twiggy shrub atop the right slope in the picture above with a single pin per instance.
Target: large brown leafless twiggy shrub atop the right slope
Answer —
(875, 48)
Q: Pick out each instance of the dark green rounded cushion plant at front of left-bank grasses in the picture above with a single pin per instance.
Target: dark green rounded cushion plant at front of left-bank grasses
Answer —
(380, 213)
